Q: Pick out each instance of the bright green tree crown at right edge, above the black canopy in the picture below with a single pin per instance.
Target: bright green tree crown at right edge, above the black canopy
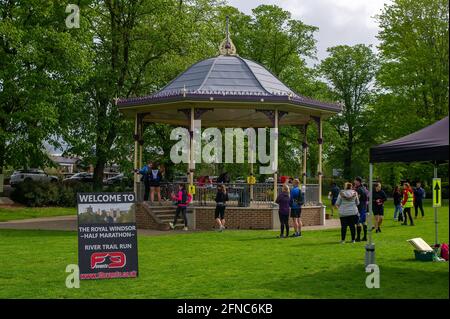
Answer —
(414, 58)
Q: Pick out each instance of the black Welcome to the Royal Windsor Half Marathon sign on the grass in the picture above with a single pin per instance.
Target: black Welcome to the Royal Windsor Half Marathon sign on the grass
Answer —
(107, 236)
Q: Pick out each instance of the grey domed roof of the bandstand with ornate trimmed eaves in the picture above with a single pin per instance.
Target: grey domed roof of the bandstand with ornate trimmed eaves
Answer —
(231, 90)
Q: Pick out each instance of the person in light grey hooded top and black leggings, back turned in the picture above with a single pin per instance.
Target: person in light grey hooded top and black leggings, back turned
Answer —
(348, 202)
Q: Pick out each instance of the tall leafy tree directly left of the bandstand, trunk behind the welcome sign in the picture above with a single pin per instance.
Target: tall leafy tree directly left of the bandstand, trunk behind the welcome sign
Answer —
(133, 42)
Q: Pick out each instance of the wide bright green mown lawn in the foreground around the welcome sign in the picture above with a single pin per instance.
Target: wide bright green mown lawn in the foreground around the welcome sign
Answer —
(233, 264)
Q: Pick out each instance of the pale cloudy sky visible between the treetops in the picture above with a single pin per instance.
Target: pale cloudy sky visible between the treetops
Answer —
(339, 21)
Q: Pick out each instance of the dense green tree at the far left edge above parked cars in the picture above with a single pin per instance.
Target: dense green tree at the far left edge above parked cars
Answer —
(40, 66)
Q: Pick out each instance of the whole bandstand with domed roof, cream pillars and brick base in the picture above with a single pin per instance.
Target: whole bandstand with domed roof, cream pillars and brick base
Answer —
(229, 91)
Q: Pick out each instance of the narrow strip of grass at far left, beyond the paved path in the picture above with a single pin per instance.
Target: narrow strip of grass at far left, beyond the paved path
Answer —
(16, 213)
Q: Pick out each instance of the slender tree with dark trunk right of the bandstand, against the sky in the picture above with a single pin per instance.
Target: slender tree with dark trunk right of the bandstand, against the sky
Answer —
(350, 72)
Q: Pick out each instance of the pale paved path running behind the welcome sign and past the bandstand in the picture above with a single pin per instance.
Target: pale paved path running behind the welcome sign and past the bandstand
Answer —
(69, 223)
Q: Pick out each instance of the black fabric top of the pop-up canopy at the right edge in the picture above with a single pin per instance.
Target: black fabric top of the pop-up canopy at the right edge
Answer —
(427, 144)
